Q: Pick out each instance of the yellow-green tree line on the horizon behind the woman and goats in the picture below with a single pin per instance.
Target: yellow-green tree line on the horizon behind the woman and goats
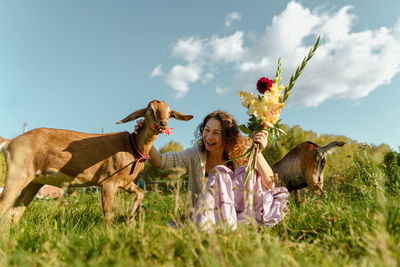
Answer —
(337, 163)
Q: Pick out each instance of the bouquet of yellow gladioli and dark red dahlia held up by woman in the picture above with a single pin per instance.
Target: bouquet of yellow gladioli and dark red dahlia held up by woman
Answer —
(264, 109)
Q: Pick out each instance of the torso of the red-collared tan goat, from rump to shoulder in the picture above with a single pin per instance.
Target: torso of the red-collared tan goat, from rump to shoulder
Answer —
(69, 152)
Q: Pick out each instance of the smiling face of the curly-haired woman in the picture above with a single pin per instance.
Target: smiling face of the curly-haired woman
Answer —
(212, 136)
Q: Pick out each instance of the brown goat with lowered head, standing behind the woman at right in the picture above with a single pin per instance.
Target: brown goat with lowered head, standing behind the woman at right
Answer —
(304, 165)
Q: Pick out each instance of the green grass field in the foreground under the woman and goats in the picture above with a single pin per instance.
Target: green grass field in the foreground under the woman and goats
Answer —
(357, 223)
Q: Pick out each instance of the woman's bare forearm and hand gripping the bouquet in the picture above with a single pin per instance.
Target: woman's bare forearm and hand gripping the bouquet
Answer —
(265, 171)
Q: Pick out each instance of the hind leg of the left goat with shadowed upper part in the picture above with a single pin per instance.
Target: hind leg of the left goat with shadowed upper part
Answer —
(23, 200)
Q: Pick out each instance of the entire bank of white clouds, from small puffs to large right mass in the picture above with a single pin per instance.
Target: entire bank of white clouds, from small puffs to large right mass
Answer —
(347, 65)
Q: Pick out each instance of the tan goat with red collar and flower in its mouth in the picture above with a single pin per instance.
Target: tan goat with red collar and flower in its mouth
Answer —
(67, 158)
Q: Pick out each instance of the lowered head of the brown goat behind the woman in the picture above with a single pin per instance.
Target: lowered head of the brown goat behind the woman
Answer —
(314, 165)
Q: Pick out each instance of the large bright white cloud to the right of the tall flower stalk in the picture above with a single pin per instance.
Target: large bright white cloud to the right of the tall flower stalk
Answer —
(348, 65)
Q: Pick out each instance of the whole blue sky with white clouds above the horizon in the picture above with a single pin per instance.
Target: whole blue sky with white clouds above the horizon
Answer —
(83, 65)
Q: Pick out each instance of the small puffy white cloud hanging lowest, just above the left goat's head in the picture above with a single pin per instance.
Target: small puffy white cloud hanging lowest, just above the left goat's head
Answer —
(180, 76)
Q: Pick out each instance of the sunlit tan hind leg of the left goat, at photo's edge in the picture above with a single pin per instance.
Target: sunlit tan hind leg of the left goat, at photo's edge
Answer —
(14, 184)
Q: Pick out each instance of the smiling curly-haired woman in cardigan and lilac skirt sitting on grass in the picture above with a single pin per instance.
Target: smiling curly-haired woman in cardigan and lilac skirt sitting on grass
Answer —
(222, 196)
